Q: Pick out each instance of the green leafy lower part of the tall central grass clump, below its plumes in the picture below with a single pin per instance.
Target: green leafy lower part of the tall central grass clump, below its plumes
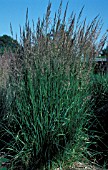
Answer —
(49, 112)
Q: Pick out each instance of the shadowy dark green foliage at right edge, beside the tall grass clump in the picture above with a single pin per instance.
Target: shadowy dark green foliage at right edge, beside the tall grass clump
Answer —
(99, 122)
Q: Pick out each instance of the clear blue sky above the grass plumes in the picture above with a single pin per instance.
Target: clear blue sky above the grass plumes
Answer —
(14, 12)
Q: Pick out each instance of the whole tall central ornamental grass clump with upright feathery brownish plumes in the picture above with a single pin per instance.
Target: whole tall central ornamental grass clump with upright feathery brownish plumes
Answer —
(49, 88)
